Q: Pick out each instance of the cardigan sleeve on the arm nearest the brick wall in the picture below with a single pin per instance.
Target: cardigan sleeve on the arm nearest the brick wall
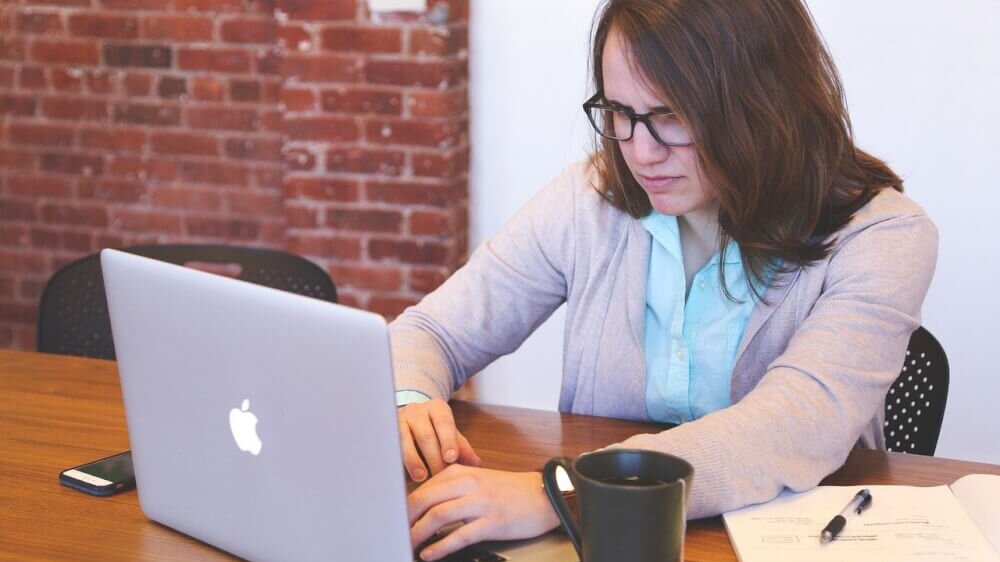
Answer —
(509, 286)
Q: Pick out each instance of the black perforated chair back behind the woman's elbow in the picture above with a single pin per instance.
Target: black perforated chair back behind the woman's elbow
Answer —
(914, 407)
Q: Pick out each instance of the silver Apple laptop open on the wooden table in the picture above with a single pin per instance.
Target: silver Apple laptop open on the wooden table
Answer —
(264, 422)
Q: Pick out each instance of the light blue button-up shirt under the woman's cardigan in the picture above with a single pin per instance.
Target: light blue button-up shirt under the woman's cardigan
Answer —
(690, 347)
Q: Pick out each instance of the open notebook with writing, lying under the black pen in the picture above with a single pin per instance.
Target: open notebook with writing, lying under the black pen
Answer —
(953, 523)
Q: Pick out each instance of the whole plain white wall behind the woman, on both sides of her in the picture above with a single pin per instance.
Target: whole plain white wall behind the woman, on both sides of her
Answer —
(923, 85)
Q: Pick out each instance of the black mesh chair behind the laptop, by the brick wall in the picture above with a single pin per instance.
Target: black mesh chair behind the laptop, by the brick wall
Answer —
(73, 312)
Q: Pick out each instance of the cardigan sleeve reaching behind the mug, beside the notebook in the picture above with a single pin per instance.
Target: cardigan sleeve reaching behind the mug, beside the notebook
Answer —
(802, 419)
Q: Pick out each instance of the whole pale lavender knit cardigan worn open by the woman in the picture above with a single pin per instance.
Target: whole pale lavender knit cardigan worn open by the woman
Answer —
(810, 376)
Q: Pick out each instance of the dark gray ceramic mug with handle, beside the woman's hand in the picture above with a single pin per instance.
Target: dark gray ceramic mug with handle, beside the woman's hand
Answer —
(632, 504)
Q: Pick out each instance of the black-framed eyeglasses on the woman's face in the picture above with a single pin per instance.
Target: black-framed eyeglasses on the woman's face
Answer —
(618, 123)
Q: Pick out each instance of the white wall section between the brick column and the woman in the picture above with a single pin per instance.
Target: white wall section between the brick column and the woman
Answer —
(522, 136)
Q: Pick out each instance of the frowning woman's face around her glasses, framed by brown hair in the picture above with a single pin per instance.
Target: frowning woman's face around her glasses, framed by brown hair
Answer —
(671, 176)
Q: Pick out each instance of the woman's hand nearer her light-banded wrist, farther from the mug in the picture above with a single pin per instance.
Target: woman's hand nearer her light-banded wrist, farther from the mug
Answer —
(428, 429)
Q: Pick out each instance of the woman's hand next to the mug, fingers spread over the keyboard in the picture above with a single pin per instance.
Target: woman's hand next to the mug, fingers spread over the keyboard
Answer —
(490, 505)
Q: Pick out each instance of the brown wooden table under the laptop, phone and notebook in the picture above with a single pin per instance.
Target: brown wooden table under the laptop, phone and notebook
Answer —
(57, 412)
